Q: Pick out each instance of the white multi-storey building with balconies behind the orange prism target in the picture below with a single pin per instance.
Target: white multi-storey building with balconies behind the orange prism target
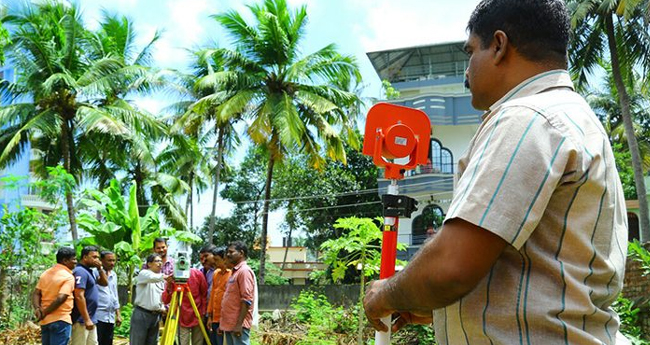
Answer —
(430, 78)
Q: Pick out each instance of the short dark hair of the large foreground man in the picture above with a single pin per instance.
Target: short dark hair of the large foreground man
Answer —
(539, 29)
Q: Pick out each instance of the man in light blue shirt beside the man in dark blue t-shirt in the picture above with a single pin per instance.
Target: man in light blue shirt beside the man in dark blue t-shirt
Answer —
(108, 306)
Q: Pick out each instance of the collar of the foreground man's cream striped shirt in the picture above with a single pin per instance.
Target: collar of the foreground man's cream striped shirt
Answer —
(534, 85)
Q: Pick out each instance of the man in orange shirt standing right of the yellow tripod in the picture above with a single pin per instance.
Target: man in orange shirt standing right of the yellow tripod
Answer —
(219, 280)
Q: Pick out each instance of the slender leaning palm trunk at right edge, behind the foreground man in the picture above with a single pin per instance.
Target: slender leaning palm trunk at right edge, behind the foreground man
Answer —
(624, 100)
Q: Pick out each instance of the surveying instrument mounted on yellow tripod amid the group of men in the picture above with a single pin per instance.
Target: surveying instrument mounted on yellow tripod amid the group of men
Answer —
(181, 290)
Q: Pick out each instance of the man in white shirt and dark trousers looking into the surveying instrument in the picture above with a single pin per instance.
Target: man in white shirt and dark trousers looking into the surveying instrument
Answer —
(148, 305)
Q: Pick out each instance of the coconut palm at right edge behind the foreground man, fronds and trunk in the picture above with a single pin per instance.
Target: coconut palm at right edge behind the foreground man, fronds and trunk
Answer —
(619, 29)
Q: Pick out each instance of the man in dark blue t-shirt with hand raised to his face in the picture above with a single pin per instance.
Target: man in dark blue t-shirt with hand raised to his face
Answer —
(86, 295)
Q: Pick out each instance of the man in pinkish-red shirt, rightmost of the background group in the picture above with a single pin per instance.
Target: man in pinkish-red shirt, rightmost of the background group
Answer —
(237, 304)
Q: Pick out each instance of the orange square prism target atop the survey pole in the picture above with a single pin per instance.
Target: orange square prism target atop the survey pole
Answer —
(394, 132)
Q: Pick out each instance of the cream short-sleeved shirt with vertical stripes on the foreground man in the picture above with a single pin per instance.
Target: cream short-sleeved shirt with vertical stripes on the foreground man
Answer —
(540, 174)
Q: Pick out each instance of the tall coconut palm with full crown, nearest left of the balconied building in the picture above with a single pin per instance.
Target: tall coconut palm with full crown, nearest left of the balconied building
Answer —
(291, 101)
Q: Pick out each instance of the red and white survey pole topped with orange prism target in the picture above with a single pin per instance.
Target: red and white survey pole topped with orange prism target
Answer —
(395, 133)
